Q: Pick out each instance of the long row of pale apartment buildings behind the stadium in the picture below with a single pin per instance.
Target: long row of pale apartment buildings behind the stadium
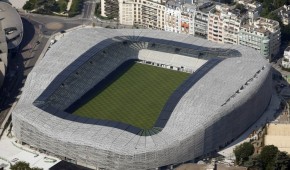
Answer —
(235, 24)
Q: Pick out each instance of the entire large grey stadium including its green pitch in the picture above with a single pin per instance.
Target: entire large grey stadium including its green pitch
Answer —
(140, 99)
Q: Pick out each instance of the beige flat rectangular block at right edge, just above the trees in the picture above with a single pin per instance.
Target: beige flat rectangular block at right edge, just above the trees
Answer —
(279, 136)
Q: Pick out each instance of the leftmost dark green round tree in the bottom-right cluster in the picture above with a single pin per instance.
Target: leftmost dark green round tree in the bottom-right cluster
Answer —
(243, 151)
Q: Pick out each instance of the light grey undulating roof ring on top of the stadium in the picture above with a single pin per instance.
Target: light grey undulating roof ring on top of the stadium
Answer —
(204, 103)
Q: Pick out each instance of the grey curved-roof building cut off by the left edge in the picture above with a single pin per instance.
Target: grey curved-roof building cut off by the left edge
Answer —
(11, 33)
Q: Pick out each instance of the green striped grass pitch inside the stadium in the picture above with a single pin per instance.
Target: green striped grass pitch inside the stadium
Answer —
(136, 97)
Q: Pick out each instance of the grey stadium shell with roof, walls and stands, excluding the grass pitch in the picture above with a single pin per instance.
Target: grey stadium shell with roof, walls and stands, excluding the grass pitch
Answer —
(224, 96)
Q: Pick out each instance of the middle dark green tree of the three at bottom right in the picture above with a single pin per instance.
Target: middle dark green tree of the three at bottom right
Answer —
(267, 156)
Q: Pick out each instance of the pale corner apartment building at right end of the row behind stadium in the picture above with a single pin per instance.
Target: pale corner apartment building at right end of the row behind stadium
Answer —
(261, 34)
